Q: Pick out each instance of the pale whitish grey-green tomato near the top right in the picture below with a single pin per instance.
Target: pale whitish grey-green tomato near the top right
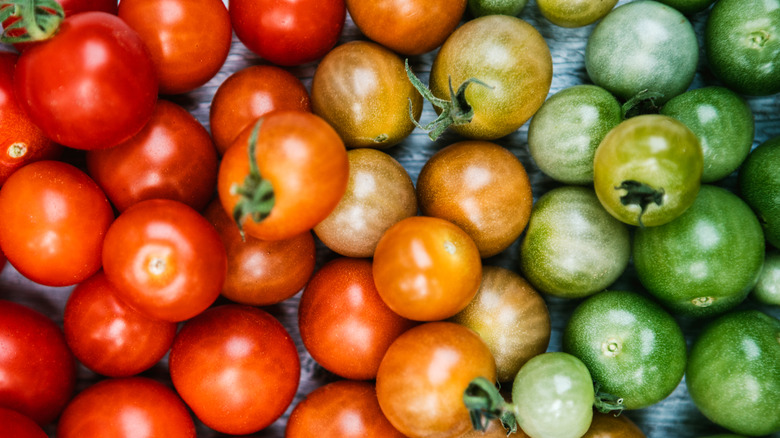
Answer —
(643, 46)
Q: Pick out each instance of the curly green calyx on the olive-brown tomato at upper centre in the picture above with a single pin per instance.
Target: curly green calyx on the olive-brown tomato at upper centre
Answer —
(454, 112)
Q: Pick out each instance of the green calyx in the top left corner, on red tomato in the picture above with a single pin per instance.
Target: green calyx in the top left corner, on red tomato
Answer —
(30, 20)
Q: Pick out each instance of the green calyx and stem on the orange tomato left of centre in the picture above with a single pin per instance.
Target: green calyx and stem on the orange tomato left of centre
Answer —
(256, 194)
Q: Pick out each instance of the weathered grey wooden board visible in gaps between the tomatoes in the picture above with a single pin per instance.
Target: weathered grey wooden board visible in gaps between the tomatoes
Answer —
(675, 416)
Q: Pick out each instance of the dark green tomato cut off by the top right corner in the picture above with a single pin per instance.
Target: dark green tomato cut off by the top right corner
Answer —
(742, 47)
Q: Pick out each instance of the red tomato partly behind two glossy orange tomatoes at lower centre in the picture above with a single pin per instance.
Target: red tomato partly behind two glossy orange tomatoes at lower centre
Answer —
(345, 325)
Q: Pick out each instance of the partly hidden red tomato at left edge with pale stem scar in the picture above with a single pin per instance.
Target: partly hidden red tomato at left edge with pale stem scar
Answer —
(21, 141)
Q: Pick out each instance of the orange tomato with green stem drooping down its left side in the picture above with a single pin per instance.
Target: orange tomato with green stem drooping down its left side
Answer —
(299, 175)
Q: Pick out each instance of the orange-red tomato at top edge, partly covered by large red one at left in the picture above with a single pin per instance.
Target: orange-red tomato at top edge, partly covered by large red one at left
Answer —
(189, 40)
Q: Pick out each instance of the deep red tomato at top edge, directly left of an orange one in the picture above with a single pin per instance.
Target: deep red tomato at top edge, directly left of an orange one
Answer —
(288, 32)
